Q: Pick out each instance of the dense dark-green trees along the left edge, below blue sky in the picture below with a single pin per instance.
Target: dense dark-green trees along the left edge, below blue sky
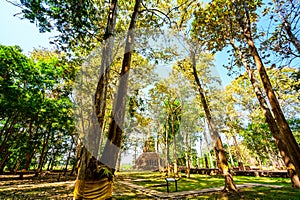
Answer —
(36, 108)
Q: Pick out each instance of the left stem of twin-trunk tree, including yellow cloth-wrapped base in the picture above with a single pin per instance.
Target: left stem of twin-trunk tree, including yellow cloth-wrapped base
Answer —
(86, 182)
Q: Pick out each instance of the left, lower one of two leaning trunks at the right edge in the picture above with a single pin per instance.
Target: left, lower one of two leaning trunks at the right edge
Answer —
(272, 123)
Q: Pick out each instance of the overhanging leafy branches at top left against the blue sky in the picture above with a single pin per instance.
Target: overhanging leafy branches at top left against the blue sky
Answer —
(80, 24)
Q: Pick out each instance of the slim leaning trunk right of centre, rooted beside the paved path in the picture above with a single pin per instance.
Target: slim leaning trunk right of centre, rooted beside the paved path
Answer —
(218, 146)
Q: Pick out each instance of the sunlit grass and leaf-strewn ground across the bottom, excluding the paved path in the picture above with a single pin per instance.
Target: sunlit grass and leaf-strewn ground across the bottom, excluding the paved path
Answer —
(47, 187)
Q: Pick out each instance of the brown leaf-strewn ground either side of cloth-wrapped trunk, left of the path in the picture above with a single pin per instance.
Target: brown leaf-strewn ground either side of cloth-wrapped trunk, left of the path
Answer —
(52, 186)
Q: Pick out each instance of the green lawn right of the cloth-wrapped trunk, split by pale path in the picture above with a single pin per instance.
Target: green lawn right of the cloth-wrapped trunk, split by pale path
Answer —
(156, 181)
